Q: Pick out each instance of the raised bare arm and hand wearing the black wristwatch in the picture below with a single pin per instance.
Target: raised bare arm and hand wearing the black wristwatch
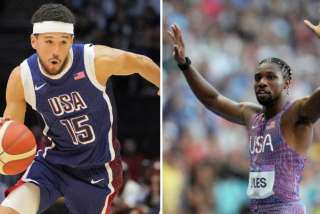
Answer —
(240, 113)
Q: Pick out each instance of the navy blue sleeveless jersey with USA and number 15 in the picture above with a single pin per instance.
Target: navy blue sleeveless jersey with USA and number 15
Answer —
(78, 114)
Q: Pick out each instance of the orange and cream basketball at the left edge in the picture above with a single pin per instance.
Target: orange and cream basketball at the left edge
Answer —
(17, 148)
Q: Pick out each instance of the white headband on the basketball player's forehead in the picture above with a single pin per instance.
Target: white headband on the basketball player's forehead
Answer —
(52, 27)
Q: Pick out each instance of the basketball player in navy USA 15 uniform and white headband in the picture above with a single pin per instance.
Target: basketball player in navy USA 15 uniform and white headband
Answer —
(69, 86)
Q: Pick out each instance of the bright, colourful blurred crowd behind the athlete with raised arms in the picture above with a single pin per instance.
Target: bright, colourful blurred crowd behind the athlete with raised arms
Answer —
(205, 158)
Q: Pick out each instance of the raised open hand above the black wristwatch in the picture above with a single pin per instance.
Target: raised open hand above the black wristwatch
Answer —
(178, 47)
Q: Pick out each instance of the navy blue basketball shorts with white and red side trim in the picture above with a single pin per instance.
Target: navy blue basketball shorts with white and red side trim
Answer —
(84, 190)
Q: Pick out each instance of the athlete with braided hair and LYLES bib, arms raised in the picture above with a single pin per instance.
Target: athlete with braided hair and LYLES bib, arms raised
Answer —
(280, 131)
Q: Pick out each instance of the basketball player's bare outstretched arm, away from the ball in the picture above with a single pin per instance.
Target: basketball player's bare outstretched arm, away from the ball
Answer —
(110, 61)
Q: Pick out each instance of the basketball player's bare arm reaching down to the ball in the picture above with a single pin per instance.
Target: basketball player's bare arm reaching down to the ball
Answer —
(16, 104)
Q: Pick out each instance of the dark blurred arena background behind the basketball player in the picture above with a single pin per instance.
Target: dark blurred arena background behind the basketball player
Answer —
(130, 25)
